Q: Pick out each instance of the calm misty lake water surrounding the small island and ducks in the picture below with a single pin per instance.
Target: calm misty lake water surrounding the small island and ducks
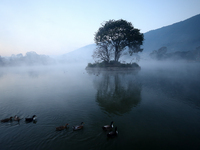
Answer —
(157, 107)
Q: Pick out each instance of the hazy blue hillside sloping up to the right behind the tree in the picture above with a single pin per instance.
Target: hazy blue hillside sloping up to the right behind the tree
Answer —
(181, 36)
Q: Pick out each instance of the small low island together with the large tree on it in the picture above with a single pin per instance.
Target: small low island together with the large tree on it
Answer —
(116, 38)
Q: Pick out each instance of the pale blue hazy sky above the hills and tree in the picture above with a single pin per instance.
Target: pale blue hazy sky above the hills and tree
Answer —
(54, 27)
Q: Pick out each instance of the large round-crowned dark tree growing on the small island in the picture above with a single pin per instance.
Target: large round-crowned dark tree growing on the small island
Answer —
(115, 36)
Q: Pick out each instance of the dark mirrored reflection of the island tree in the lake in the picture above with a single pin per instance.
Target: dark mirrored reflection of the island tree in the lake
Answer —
(117, 92)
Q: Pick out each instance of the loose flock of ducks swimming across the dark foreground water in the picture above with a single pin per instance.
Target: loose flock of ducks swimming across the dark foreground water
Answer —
(109, 127)
